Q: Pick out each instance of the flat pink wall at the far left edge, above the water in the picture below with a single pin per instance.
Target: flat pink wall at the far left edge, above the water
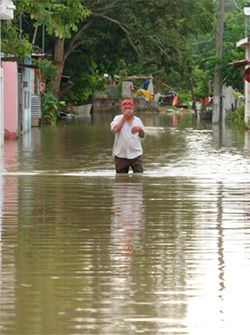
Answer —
(10, 73)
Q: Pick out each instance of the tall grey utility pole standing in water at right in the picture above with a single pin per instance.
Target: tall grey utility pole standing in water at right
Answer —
(217, 96)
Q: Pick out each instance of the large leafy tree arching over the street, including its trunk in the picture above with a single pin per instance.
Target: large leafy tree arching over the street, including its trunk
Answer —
(157, 44)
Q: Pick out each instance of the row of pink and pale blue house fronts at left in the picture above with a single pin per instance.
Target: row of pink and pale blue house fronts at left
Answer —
(21, 97)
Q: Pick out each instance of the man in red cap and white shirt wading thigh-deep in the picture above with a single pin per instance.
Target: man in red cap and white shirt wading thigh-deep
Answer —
(129, 130)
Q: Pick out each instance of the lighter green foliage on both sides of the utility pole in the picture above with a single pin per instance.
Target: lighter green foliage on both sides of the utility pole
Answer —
(204, 51)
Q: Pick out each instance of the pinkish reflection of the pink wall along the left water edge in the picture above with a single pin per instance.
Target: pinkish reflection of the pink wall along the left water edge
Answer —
(8, 225)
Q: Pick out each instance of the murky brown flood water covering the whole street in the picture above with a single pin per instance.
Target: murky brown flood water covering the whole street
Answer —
(86, 252)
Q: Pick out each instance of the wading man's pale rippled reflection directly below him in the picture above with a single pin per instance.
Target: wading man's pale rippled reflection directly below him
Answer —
(127, 214)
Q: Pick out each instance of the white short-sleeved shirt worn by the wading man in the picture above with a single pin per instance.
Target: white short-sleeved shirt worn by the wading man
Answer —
(126, 144)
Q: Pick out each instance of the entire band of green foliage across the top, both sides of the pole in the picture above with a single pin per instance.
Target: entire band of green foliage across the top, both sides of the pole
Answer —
(175, 43)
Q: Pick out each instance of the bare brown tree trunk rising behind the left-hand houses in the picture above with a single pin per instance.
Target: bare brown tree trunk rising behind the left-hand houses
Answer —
(59, 62)
